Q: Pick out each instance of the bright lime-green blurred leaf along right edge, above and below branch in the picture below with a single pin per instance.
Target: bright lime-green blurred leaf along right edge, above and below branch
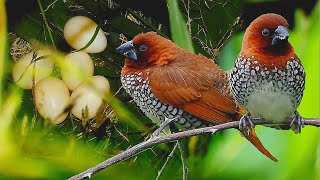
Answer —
(305, 40)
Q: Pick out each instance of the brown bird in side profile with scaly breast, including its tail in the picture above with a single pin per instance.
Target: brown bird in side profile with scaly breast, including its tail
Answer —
(166, 81)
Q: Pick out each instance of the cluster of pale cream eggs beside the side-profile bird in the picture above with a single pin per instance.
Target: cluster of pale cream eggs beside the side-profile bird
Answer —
(52, 95)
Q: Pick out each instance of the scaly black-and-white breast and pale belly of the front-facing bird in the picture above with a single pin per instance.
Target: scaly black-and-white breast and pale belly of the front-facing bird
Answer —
(273, 94)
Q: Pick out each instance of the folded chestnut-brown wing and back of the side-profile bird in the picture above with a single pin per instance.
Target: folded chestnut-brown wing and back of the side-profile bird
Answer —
(197, 86)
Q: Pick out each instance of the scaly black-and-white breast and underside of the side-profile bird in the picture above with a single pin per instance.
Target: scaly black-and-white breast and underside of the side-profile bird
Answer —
(138, 88)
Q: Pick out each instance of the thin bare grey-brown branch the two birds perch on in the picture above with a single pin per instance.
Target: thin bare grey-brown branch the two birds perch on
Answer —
(172, 137)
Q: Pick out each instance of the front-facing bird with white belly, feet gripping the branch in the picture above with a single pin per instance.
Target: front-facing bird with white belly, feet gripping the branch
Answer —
(268, 78)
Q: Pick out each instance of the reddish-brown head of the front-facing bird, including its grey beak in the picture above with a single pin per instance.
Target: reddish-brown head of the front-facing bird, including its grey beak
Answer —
(267, 38)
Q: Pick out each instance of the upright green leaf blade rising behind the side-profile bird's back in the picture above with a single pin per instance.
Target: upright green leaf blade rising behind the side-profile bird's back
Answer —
(178, 28)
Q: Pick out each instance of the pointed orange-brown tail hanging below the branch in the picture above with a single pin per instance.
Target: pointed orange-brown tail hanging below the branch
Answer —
(253, 138)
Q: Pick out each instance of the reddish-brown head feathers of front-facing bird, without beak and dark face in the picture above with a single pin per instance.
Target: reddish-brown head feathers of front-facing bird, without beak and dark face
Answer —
(257, 45)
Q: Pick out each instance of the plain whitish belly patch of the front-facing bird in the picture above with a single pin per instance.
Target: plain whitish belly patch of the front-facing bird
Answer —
(270, 103)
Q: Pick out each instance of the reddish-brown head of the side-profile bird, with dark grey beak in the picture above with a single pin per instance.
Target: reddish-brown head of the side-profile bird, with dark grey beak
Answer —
(147, 50)
